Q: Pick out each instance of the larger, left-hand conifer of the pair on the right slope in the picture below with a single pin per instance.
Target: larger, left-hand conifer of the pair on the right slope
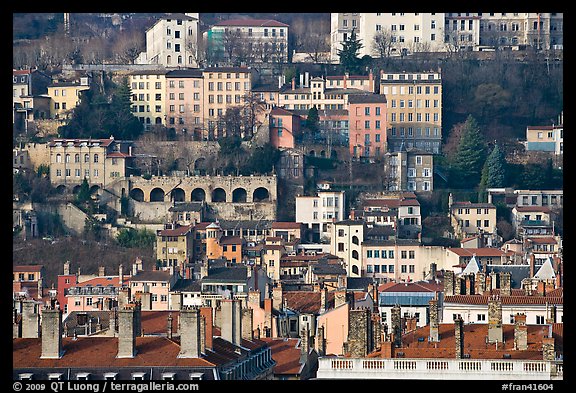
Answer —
(470, 156)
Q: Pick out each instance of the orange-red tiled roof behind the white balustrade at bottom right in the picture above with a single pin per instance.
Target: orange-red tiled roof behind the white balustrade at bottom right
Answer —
(475, 343)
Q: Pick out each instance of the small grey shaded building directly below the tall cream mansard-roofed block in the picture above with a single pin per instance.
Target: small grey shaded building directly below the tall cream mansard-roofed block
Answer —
(409, 170)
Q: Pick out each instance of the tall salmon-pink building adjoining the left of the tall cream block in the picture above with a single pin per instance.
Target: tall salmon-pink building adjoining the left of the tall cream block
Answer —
(367, 125)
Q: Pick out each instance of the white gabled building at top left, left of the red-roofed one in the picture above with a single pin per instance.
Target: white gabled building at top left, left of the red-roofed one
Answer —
(172, 41)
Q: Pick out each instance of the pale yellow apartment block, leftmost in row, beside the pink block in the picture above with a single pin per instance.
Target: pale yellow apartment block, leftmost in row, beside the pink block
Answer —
(149, 97)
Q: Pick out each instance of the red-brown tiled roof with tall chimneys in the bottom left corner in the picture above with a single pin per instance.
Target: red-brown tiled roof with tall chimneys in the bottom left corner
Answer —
(87, 352)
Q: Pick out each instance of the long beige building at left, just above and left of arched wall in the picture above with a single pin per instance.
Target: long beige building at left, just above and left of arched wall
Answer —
(100, 161)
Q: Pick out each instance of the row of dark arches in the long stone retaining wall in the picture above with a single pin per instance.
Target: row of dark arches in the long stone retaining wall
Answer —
(238, 195)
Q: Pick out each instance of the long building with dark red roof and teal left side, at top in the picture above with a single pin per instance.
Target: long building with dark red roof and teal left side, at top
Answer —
(248, 41)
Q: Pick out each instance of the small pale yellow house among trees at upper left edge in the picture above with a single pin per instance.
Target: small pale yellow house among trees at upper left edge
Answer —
(65, 96)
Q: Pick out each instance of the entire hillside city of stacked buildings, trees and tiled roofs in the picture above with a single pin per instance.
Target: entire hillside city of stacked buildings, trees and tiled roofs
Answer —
(312, 196)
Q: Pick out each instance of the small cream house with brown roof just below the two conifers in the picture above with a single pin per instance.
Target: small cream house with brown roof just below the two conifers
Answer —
(472, 218)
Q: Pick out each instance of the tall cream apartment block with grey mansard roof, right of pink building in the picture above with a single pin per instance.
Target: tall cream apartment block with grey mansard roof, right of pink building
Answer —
(414, 109)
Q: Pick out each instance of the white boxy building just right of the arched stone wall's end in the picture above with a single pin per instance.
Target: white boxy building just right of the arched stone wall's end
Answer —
(319, 212)
